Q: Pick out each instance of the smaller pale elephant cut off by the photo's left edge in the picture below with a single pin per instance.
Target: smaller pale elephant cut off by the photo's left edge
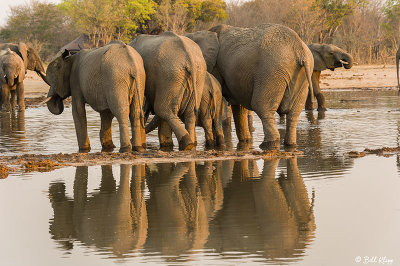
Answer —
(12, 75)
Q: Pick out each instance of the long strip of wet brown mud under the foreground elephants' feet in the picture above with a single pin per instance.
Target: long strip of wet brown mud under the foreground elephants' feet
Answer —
(40, 162)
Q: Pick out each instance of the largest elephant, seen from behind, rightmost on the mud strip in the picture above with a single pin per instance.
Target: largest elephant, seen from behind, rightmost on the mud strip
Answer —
(264, 69)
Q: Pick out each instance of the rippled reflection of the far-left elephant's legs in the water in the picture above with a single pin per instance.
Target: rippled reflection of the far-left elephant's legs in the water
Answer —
(12, 126)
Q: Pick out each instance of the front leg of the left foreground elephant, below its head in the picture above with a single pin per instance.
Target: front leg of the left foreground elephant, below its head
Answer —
(80, 121)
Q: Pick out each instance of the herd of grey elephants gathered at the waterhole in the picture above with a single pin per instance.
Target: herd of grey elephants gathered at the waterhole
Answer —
(265, 69)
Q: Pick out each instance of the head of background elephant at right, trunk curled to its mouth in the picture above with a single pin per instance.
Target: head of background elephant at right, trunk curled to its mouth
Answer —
(329, 56)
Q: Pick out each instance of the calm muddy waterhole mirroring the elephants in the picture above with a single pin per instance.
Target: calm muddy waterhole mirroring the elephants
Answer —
(320, 209)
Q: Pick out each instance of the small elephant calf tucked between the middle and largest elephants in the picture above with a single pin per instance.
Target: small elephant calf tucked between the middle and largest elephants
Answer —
(210, 114)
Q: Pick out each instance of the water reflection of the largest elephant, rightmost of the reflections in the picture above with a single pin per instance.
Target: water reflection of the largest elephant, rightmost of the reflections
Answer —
(262, 213)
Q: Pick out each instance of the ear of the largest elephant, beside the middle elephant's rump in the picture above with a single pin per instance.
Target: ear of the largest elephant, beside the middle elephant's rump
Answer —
(209, 45)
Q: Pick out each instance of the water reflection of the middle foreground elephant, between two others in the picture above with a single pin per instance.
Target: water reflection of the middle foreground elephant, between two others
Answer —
(178, 214)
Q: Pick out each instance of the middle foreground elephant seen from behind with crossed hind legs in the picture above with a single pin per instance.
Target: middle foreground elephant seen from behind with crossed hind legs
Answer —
(175, 74)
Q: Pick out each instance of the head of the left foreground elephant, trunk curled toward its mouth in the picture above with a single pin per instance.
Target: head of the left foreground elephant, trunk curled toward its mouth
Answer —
(58, 73)
